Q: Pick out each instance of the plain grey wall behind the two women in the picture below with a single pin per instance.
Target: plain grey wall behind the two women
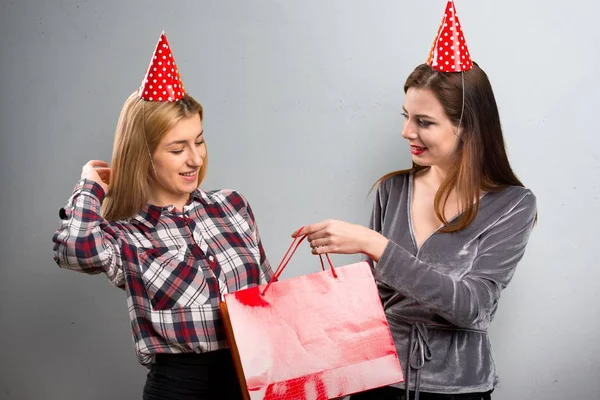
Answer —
(303, 102)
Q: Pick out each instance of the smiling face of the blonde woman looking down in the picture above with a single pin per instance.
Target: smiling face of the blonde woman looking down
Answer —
(177, 160)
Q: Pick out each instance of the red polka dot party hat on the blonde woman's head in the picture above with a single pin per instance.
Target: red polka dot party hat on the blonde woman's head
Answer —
(162, 81)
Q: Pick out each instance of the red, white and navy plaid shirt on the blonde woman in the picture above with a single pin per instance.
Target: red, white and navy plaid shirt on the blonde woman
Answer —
(174, 266)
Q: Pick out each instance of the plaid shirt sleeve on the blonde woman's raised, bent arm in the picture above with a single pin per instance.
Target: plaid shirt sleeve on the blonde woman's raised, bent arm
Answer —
(84, 241)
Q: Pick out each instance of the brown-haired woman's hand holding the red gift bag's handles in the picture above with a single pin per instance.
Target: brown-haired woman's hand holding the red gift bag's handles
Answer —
(332, 236)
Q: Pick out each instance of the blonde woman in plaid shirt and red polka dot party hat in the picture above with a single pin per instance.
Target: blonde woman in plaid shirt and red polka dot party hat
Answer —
(174, 248)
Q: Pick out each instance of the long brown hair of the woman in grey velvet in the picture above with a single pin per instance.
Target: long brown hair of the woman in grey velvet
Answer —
(482, 164)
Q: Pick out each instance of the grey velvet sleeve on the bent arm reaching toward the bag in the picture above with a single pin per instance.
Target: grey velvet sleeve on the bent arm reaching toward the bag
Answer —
(471, 298)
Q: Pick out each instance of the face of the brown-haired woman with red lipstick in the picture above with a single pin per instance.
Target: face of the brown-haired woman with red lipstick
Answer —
(432, 137)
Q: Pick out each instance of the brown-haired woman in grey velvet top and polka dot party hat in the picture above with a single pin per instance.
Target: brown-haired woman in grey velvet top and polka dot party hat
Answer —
(445, 236)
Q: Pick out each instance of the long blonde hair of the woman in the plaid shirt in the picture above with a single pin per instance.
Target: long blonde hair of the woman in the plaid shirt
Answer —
(142, 124)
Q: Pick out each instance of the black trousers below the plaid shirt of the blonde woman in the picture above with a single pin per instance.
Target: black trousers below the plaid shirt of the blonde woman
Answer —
(207, 376)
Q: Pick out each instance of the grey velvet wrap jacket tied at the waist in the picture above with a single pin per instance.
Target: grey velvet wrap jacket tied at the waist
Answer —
(441, 298)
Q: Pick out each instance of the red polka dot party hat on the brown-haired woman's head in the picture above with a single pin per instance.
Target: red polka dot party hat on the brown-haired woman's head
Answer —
(449, 52)
